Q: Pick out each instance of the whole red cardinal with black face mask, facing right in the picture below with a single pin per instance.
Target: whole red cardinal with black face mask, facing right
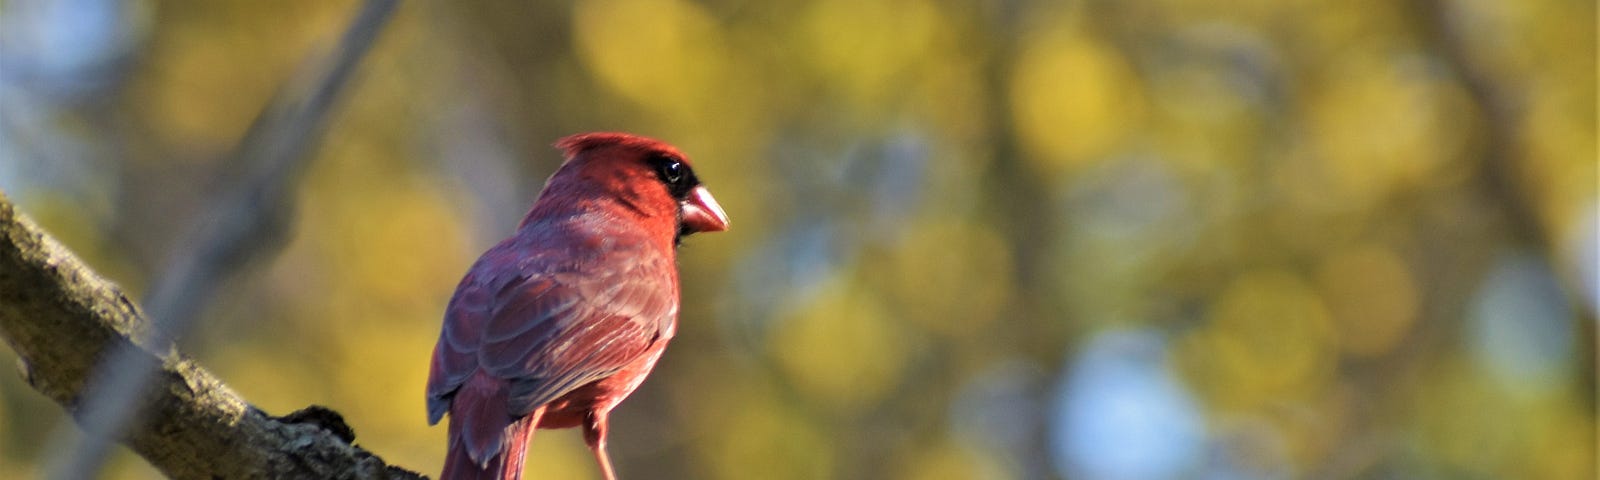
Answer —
(556, 326)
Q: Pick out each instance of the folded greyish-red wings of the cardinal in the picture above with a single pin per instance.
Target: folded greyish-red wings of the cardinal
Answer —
(554, 330)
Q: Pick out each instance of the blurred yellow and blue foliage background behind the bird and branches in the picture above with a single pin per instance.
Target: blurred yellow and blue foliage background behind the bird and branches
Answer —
(1009, 239)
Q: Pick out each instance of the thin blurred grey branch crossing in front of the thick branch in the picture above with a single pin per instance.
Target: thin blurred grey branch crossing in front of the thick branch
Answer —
(247, 223)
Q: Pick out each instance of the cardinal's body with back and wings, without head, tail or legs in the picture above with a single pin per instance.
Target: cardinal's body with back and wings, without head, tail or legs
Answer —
(545, 318)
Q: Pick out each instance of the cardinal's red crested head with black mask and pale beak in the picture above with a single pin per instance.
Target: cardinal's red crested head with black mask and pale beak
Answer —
(646, 177)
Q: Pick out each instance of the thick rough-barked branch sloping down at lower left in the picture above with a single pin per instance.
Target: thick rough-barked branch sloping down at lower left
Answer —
(62, 319)
